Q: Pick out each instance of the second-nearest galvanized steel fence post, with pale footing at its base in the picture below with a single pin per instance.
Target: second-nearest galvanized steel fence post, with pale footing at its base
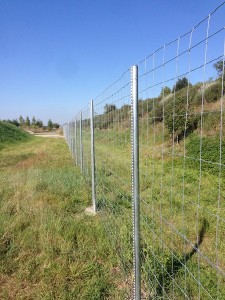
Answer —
(93, 157)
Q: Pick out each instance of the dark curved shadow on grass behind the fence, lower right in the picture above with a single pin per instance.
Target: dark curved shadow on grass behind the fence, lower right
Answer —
(175, 264)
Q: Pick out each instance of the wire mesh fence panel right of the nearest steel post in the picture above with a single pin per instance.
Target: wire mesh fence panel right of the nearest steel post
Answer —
(182, 166)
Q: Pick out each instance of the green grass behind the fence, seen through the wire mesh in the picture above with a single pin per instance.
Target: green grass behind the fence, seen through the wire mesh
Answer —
(179, 197)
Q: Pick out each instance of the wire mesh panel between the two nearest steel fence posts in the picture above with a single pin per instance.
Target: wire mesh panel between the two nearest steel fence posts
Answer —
(113, 172)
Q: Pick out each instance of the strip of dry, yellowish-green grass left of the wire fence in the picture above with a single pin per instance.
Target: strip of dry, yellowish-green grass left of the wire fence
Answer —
(49, 249)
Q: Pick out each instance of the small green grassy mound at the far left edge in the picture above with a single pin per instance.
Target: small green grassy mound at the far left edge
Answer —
(11, 134)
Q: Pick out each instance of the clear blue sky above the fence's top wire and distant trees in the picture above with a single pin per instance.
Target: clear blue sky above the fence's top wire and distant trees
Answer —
(56, 55)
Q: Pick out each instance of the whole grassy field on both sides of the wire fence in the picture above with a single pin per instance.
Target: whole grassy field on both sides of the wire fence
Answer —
(49, 249)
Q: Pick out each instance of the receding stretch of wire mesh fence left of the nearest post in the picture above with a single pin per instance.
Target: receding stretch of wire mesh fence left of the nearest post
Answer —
(110, 118)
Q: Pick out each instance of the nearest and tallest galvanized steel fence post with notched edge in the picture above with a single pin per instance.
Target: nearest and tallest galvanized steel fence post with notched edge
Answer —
(135, 182)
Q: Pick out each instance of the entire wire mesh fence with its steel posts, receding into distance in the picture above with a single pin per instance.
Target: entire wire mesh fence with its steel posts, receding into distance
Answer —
(153, 144)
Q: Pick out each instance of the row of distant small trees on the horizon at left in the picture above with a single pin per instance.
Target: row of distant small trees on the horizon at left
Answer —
(33, 123)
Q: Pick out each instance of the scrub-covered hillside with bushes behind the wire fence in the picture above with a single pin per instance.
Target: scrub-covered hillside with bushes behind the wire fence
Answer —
(182, 110)
